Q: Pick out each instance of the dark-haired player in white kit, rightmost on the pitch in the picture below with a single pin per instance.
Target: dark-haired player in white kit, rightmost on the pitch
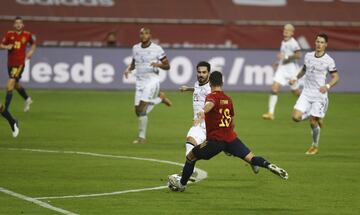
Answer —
(313, 101)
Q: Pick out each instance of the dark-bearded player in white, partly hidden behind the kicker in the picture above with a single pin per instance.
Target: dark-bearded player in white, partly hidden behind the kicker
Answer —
(197, 133)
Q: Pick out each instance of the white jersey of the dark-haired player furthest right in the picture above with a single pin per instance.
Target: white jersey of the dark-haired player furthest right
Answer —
(317, 68)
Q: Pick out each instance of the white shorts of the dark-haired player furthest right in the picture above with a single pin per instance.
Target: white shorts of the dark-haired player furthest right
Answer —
(312, 106)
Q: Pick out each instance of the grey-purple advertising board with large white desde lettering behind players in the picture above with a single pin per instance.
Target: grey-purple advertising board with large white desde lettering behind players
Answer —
(101, 68)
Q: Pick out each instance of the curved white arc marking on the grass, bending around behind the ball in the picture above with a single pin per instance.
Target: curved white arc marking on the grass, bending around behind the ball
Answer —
(201, 173)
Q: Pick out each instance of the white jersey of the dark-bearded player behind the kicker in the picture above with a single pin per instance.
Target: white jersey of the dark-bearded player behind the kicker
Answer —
(199, 95)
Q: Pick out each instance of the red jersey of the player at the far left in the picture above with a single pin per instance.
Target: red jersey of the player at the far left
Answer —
(17, 55)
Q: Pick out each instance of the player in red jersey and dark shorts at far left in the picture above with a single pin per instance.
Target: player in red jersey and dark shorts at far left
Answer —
(16, 43)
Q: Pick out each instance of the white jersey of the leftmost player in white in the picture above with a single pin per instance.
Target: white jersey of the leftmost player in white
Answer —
(143, 58)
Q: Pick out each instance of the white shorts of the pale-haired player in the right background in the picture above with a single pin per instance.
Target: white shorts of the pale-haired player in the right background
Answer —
(285, 73)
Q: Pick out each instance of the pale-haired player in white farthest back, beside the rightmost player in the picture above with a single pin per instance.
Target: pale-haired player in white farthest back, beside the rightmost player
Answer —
(287, 68)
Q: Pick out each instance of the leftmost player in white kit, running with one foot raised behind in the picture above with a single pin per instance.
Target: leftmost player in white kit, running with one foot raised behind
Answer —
(148, 57)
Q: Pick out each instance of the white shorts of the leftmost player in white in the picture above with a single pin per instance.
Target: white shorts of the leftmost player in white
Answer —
(146, 91)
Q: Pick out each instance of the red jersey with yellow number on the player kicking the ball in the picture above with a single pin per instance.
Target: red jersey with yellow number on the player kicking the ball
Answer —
(219, 120)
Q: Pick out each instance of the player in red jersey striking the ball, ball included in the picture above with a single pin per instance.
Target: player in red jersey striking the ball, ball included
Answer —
(218, 113)
